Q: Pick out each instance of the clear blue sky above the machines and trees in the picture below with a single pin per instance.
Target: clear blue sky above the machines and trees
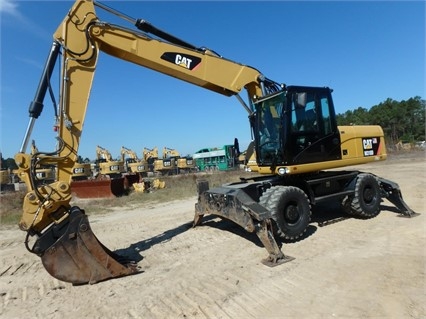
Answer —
(365, 51)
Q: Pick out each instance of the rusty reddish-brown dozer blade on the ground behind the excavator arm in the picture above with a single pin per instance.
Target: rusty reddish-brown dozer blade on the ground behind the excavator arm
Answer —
(98, 188)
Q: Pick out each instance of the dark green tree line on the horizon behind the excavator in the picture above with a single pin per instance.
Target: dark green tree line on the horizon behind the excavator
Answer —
(402, 121)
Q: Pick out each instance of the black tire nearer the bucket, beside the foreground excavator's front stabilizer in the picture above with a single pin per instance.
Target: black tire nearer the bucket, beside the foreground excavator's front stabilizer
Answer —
(290, 209)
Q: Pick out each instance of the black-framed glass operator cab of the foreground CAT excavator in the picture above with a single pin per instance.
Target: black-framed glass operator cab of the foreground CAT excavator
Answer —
(296, 126)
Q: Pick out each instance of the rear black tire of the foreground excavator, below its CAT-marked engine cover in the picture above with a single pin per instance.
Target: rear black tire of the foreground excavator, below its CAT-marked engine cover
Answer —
(367, 197)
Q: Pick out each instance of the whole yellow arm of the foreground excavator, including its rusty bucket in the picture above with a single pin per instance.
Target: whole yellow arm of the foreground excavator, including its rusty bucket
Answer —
(79, 40)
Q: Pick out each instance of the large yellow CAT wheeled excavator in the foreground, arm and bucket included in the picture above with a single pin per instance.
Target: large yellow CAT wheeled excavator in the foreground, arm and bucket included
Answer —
(297, 142)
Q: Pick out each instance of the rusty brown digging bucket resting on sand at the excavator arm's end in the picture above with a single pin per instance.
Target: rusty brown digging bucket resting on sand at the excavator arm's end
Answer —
(71, 252)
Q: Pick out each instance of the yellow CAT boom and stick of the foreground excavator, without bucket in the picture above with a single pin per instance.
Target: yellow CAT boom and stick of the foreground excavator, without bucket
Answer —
(81, 37)
